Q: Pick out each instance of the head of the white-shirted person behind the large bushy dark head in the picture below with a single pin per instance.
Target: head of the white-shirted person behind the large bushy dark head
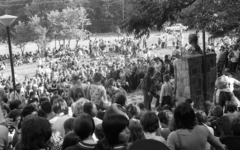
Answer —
(60, 106)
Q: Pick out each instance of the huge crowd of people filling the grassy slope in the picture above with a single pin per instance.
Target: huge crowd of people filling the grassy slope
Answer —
(78, 100)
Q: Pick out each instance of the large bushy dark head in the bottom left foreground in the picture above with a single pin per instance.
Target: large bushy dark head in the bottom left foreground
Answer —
(35, 133)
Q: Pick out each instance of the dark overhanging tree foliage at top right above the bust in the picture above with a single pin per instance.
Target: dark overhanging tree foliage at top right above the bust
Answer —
(218, 17)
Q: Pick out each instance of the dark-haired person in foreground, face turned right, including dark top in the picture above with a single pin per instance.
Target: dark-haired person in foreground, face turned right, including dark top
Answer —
(116, 133)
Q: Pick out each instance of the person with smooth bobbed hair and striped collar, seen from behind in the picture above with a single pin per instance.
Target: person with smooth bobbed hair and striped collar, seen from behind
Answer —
(84, 128)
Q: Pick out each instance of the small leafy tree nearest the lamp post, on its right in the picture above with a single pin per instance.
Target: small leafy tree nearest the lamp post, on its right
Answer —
(22, 35)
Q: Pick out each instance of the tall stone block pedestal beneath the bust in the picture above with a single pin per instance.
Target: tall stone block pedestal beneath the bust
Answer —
(189, 79)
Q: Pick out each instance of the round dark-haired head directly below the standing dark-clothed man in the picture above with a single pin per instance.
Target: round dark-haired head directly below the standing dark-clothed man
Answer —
(150, 122)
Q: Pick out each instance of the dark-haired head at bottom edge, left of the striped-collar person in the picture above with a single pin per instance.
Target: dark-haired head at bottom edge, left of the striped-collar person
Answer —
(69, 140)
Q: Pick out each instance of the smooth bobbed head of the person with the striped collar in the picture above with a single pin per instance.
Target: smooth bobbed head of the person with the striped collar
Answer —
(83, 126)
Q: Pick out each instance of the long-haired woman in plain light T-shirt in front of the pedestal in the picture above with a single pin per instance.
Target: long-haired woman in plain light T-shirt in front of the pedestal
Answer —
(188, 135)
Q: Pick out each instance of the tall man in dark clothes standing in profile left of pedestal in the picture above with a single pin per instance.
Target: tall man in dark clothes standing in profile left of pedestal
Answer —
(147, 87)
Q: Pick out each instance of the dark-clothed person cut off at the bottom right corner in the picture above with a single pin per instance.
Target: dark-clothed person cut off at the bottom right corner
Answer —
(232, 141)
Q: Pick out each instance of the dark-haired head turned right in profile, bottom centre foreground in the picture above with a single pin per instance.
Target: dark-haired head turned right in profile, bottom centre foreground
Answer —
(115, 128)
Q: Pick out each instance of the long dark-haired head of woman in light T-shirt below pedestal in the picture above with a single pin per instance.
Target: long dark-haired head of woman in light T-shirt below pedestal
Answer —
(184, 116)
